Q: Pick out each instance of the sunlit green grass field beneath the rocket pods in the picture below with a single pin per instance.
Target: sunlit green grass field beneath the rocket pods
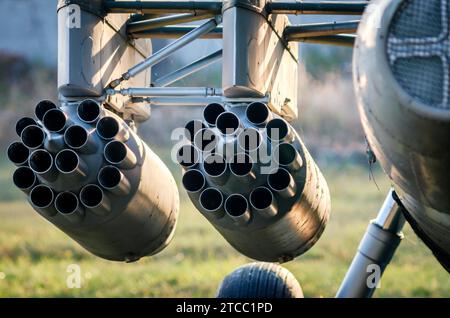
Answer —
(34, 255)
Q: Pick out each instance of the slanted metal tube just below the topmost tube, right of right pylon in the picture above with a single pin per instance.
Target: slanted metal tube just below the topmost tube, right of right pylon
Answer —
(295, 32)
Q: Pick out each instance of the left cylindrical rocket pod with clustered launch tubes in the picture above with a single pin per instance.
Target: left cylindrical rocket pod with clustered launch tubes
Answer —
(87, 172)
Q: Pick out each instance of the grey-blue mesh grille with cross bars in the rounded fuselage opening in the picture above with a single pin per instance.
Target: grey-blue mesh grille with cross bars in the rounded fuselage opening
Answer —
(419, 50)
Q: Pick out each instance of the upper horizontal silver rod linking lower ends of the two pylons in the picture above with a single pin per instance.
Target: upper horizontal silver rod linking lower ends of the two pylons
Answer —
(169, 91)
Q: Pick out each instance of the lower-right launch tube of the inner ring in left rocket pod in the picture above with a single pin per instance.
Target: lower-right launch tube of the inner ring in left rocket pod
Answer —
(69, 163)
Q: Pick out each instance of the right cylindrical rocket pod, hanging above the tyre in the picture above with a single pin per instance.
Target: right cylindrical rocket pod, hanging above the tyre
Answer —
(256, 182)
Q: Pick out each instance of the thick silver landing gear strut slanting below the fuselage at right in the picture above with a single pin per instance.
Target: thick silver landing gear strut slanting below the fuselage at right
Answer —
(375, 251)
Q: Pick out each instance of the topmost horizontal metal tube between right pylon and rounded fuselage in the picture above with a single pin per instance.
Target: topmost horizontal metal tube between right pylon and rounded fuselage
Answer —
(318, 7)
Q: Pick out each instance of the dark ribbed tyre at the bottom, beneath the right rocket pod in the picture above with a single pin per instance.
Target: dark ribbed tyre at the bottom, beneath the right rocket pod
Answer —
(260, 280)
